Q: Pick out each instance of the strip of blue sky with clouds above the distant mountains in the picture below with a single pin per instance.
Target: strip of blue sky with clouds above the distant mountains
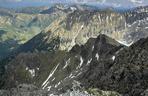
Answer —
(112, 3)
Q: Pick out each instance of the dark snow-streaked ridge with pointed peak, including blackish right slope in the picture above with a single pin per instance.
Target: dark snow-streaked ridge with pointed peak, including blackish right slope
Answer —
(101, 63)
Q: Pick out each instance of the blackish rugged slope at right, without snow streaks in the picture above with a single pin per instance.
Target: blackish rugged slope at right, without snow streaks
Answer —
(128, 74)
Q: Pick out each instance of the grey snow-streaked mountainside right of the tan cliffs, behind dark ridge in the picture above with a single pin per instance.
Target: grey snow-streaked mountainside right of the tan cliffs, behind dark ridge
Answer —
(137, 23)
